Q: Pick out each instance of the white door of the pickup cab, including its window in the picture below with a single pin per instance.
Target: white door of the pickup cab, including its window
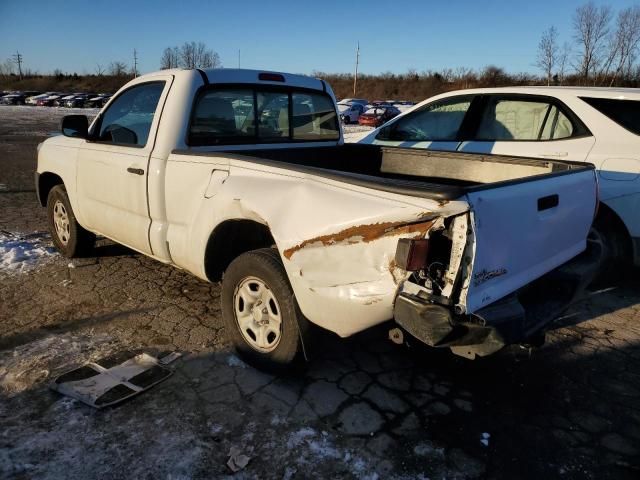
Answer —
(112, 166)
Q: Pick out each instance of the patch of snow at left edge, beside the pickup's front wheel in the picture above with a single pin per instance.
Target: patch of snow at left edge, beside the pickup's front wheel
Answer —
(21, 253)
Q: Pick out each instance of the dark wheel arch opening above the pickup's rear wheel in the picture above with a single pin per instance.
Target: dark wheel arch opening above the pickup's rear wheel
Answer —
(230, 239)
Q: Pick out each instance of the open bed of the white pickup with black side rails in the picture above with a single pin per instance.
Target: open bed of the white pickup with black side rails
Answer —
(406, 171)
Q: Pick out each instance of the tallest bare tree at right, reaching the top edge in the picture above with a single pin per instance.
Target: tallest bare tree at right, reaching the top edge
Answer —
(591, 27)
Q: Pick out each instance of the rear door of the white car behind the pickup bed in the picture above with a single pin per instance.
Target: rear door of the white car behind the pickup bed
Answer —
(528, 126)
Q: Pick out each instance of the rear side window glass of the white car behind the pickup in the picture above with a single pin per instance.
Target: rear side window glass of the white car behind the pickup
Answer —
(532, 120)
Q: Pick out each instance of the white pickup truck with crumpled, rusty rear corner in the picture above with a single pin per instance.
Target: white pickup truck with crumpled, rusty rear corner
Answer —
(243, 176)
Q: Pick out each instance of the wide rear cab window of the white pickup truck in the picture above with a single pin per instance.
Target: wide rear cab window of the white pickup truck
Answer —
(248, 114)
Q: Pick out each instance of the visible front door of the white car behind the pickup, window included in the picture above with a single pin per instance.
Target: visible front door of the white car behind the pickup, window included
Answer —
(435, 126)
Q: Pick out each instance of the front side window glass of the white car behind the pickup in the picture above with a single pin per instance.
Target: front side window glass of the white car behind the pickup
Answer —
(438, 121)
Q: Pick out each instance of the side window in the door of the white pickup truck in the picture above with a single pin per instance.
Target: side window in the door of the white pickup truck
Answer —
(128, 119)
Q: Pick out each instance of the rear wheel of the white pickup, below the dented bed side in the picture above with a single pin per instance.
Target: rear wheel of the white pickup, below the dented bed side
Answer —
(259, 310)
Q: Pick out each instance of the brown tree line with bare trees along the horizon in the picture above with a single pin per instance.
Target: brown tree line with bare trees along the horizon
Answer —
(603, 50)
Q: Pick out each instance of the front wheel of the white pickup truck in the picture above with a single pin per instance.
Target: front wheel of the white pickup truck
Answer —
(68, 236)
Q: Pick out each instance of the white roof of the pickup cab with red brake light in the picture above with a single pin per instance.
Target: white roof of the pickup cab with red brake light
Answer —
(238, 75)
